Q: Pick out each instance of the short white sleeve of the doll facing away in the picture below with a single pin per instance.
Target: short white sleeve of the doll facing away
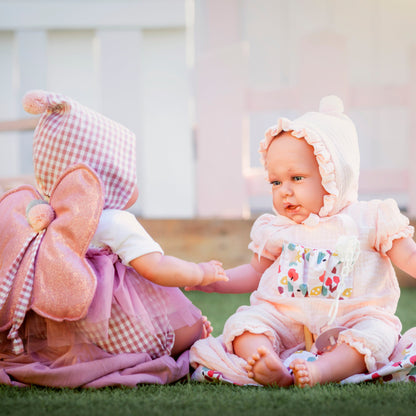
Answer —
(121, 231)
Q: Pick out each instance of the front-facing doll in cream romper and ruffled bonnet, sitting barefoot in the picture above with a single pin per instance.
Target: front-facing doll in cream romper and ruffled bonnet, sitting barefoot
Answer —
(322, 265)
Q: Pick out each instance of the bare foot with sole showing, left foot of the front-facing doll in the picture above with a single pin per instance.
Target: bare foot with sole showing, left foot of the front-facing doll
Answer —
(266, 368)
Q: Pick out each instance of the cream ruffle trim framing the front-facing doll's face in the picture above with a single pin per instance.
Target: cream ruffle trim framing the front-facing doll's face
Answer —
(325, 163)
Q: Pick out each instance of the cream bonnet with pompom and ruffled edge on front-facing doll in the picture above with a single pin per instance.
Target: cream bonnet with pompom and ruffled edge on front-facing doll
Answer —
(334, 138)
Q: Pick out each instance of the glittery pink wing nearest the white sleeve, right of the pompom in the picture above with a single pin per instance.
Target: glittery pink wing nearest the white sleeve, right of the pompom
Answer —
(64, 283)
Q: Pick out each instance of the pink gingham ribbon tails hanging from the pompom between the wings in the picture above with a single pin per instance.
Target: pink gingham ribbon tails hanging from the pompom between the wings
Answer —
(26, 292)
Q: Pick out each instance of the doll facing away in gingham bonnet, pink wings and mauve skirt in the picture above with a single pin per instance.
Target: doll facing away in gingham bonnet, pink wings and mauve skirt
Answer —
(85, 292)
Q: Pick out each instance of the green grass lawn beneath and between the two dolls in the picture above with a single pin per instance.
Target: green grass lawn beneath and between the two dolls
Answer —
(193, 399)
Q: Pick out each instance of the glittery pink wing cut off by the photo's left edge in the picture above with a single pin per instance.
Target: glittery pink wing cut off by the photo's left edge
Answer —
(15, 235)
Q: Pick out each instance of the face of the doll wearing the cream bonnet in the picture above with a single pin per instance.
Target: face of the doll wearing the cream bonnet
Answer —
(294, 175)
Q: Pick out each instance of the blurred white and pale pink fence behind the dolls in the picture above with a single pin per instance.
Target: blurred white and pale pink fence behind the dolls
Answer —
(199, 81)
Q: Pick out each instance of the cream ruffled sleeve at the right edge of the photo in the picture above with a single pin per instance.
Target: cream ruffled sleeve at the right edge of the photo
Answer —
(390, 225)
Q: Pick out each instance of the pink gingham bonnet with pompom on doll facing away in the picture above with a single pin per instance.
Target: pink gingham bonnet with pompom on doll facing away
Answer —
(69, 133)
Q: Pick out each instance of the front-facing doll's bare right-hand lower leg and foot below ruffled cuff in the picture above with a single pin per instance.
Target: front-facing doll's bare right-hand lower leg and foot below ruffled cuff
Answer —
(333, 366)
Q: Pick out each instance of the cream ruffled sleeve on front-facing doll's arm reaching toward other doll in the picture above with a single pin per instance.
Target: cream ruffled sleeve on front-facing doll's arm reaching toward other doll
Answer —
(265, 237)
